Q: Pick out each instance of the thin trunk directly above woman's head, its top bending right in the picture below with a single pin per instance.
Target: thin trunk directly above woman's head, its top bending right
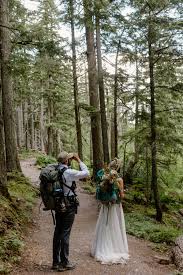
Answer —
(114, 128)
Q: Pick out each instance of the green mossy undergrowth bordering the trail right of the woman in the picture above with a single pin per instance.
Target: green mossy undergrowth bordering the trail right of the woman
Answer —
(140, 217)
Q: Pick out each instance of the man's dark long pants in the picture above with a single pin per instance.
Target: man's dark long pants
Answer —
(64, 222)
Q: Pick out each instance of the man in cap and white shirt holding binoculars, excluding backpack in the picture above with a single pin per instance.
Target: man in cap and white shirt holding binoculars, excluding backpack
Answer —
(64, 220)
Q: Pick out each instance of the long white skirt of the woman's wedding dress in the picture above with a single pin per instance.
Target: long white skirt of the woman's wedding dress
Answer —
(110, 242)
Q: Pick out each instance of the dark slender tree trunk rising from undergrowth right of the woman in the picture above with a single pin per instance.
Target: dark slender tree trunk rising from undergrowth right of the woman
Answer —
(153, 122)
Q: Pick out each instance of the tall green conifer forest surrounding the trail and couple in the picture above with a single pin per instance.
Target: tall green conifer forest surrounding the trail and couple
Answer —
(102, 78)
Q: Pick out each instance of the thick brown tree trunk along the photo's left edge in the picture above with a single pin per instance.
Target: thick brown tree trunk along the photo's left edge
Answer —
(12, 162)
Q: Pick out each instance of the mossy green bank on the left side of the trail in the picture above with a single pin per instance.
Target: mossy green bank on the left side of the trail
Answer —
(14, 217)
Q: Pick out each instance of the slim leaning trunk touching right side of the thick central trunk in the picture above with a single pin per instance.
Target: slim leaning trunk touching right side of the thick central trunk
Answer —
(101, 92)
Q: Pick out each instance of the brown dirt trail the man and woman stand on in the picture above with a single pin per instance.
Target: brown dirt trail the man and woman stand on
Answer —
(37, 257)
